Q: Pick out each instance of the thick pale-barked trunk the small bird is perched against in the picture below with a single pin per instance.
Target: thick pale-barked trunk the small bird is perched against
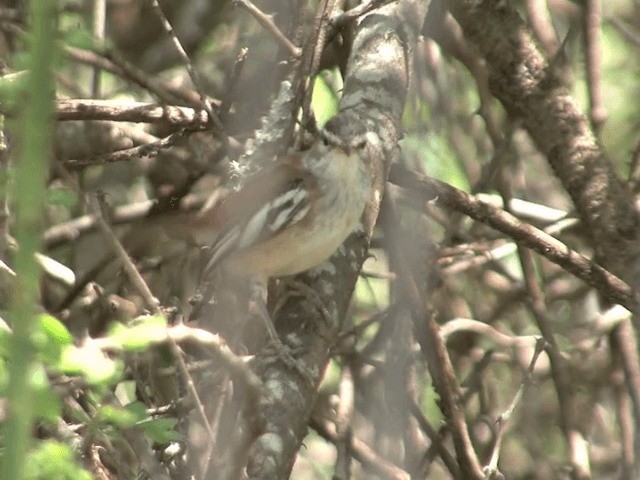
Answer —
(372, 102)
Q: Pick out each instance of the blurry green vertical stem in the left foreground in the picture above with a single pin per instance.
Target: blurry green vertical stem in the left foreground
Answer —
(30, 196)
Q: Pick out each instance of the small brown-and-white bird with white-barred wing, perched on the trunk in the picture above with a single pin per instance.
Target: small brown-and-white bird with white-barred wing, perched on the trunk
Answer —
(289, 216)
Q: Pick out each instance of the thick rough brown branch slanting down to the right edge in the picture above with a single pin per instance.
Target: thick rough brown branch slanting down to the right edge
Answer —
(534, 96)
